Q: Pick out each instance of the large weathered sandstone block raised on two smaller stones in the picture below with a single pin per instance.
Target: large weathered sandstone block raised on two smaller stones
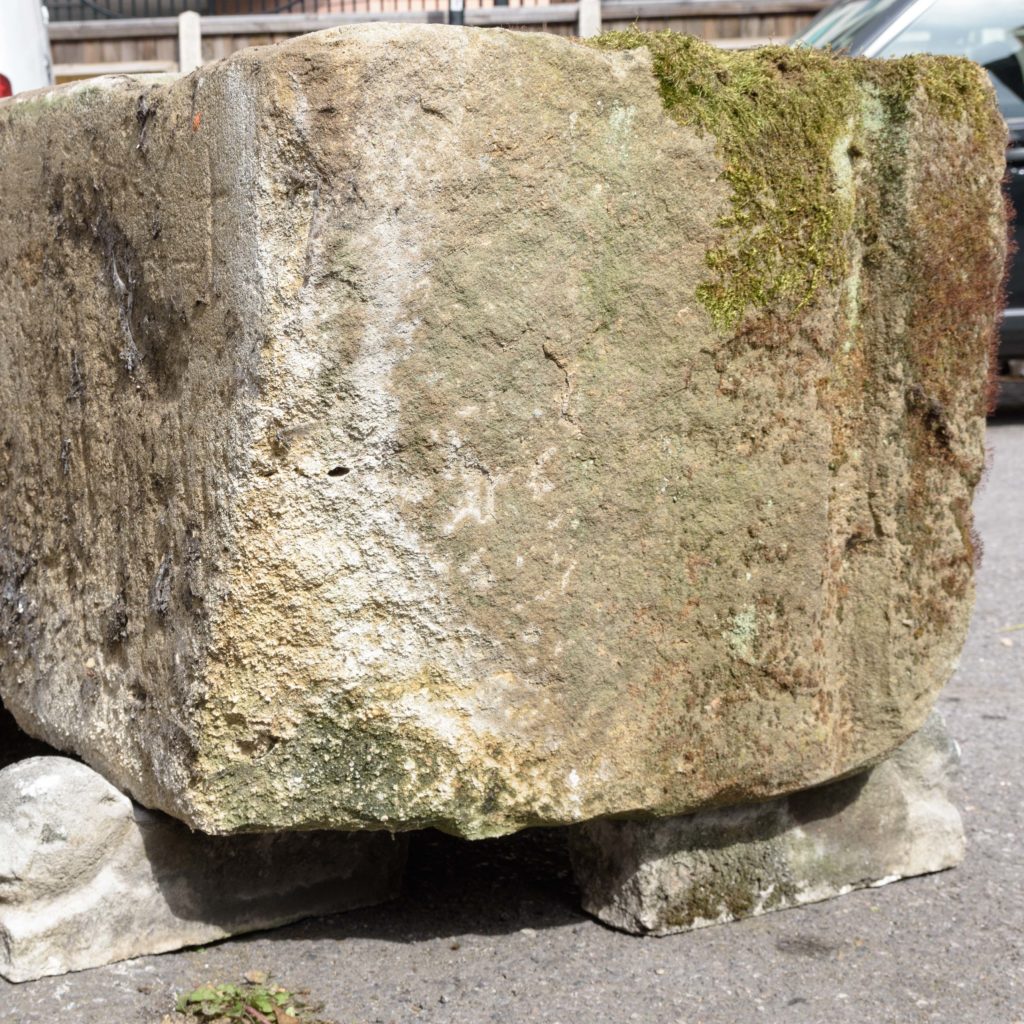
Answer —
(372, 453)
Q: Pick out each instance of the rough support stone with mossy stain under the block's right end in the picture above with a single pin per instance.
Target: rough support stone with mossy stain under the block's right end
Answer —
(891, 823)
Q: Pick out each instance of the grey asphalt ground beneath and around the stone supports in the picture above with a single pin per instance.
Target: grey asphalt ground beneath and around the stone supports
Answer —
(492, 931)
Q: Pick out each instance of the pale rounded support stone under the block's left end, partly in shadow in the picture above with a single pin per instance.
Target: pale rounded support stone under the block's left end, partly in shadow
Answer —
(88, 878)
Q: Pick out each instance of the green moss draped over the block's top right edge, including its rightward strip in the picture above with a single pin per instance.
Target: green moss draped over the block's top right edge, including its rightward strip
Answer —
(786, 122)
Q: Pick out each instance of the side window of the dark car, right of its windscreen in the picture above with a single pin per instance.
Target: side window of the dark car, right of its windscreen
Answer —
(991, 33)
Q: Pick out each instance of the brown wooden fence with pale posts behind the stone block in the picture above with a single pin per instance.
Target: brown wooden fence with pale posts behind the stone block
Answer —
(83, 50)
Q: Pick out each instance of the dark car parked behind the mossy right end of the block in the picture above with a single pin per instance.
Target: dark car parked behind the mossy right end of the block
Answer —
(990, 32)
